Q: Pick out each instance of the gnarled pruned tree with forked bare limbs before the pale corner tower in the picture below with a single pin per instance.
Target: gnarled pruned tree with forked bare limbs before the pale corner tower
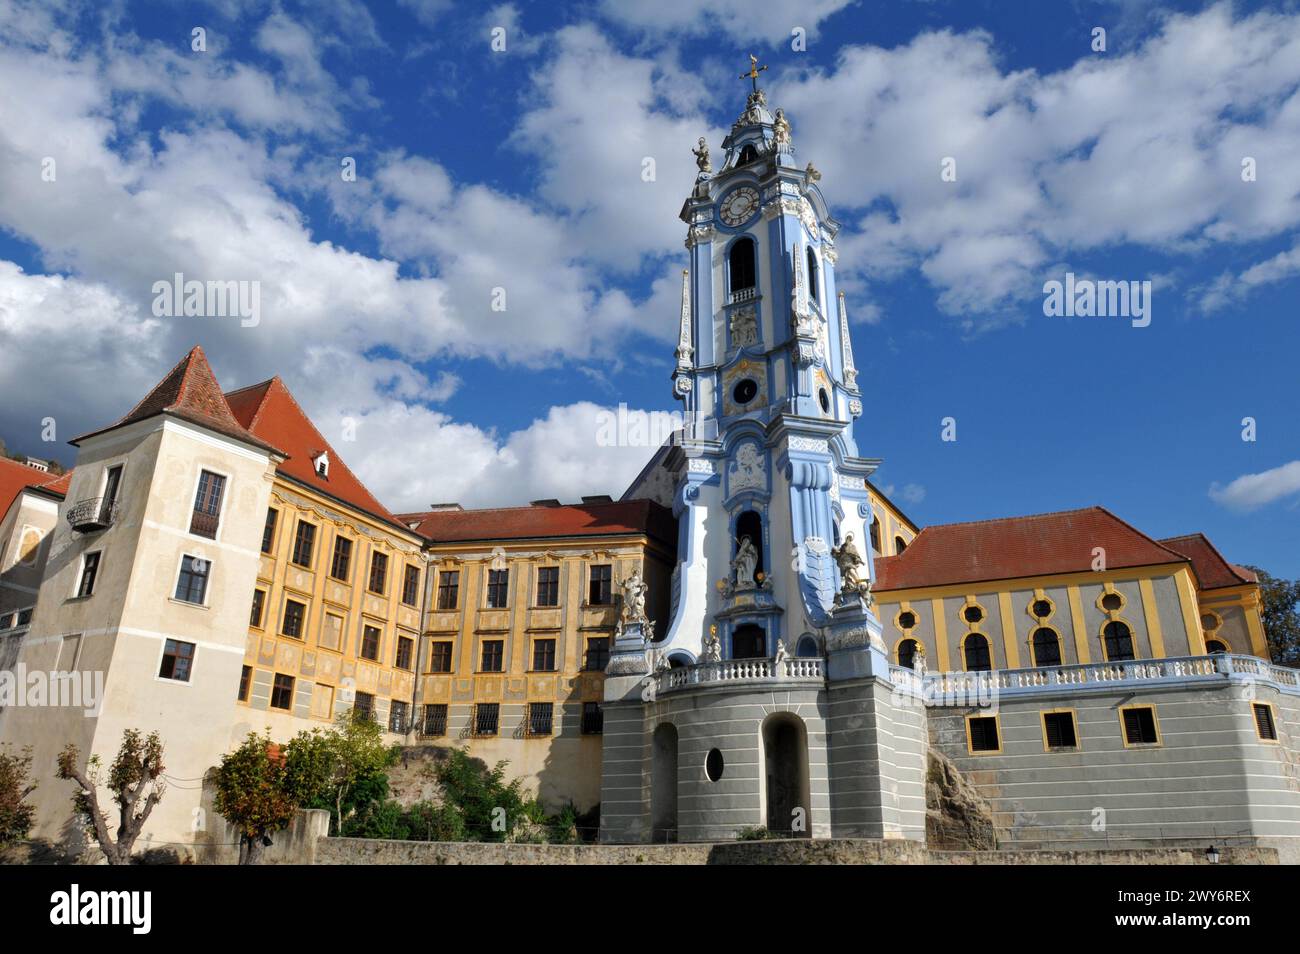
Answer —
(137, 773)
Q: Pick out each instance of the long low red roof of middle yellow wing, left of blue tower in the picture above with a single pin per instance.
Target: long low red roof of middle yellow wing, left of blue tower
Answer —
(543, 522)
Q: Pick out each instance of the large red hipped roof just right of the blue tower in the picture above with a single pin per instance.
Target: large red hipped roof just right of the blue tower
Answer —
(1013, 548)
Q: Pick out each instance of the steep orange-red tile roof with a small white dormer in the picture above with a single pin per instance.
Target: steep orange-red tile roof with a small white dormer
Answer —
(270, 413)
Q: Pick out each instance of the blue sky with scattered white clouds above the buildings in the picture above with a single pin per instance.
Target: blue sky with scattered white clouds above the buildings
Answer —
(522, 170)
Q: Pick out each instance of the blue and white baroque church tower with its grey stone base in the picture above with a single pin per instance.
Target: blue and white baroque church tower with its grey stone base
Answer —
(729, 722)
